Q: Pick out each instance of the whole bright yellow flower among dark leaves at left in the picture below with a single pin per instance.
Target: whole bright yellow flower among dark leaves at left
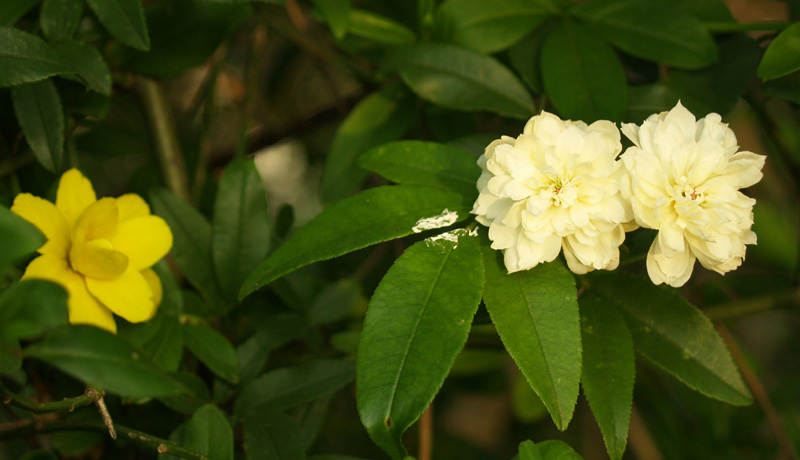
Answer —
(101, 251)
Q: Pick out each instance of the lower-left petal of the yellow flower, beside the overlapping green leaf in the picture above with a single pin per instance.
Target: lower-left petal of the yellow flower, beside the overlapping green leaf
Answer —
(83, 308)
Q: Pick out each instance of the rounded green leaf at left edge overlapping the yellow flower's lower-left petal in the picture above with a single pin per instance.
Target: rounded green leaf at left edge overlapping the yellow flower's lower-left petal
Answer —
(30, 307)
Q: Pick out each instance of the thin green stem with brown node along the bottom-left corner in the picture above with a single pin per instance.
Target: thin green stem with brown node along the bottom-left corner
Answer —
(162, 446)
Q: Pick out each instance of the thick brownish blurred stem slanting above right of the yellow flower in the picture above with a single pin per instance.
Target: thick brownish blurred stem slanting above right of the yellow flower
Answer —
(162, 128)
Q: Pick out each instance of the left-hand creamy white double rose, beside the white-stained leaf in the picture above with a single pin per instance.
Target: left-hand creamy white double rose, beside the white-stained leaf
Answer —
(555, 186)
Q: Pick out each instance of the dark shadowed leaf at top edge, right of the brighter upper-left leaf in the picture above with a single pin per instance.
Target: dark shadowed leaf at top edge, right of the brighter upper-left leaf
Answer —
(184, 34)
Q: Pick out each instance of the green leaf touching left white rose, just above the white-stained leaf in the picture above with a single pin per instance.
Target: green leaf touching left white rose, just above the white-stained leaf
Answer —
(425, 163)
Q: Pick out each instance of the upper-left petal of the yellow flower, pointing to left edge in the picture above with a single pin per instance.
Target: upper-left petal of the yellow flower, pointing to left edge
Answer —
(46, 217)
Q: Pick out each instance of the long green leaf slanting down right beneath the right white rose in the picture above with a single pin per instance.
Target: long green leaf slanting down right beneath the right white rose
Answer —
(674, 335)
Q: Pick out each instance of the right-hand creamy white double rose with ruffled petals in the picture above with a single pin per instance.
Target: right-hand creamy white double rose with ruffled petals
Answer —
(685, 177)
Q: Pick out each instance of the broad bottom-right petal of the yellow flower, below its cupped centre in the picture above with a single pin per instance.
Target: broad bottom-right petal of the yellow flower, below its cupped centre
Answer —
(128, 295)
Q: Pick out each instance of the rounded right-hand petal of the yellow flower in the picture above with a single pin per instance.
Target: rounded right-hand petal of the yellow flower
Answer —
(144, 240)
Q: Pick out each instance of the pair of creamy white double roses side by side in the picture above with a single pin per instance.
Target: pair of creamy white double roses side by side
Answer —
(560, 186)
